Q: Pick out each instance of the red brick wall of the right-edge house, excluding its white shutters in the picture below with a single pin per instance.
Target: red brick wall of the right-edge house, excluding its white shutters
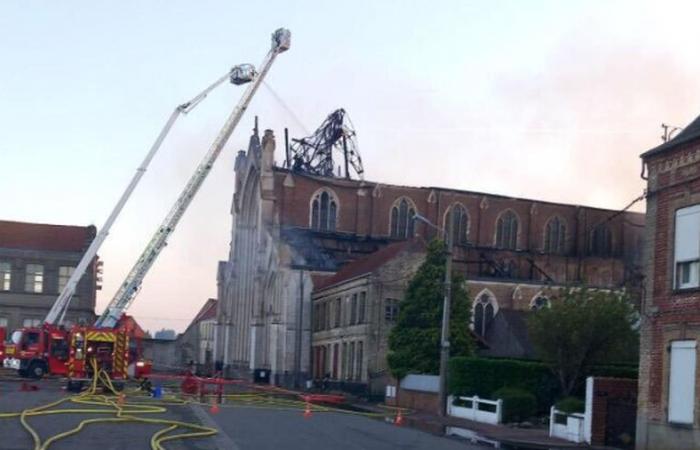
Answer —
(668, 313)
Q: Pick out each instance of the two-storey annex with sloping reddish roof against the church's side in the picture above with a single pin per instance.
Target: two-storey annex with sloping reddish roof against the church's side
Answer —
(353, 312)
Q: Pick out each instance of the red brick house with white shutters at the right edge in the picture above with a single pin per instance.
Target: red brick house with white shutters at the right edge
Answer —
(669, 386)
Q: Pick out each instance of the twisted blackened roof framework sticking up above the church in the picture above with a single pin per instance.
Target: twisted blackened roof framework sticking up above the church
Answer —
(314, 154)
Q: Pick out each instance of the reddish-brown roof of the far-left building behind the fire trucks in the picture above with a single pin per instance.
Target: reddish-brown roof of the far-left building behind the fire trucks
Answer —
(40, 236)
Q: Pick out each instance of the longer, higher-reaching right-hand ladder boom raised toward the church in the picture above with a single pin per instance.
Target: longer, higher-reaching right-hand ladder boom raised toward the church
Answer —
(132, 283)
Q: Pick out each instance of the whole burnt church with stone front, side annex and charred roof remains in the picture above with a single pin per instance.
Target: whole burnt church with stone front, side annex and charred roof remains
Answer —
(291, 305)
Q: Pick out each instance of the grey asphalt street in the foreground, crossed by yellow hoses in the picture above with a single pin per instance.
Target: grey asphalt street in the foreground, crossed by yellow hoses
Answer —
(241, 428)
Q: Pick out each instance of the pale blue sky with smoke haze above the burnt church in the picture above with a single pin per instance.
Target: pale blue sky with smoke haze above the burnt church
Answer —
(545, 100)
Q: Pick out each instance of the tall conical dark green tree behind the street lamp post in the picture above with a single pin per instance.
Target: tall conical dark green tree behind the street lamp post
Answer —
(414, 342)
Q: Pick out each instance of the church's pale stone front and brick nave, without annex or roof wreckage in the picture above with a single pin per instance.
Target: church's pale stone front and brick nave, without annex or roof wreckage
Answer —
(291, 230)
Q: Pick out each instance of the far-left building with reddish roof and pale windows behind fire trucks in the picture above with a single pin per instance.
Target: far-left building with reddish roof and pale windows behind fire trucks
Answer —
(36, 261)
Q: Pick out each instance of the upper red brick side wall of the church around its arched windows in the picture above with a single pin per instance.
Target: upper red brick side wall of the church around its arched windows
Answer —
(364, 209)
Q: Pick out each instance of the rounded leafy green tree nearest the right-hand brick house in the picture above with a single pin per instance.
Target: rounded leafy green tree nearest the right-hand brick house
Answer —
(584, 327)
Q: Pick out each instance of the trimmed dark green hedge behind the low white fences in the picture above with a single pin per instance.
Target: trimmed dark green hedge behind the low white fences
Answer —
(483, 376)
